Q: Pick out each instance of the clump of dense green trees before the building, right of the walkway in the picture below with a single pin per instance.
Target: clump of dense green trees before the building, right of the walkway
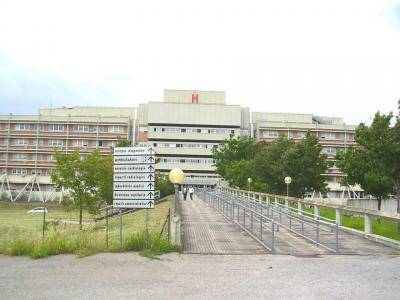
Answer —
(269, 163)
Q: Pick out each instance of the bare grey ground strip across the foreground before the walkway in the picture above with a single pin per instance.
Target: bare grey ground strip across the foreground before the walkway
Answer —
(129, 276)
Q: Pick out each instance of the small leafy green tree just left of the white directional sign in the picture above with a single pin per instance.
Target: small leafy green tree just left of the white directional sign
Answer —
(87, 179)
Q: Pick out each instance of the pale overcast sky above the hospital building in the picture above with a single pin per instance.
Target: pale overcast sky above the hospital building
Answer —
(334, 58)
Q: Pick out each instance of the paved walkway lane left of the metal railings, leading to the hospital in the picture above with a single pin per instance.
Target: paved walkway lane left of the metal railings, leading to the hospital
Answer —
(206, 231)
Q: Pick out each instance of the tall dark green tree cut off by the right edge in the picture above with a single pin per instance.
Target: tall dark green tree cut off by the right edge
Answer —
(375, 162)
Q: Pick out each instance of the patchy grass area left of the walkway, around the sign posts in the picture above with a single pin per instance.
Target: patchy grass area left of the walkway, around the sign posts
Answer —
(24, 238)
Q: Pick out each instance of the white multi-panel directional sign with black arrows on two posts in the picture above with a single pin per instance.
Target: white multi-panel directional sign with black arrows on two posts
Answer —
(134, 180)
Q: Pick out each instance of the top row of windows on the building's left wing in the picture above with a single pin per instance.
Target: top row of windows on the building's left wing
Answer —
(75, 128)
